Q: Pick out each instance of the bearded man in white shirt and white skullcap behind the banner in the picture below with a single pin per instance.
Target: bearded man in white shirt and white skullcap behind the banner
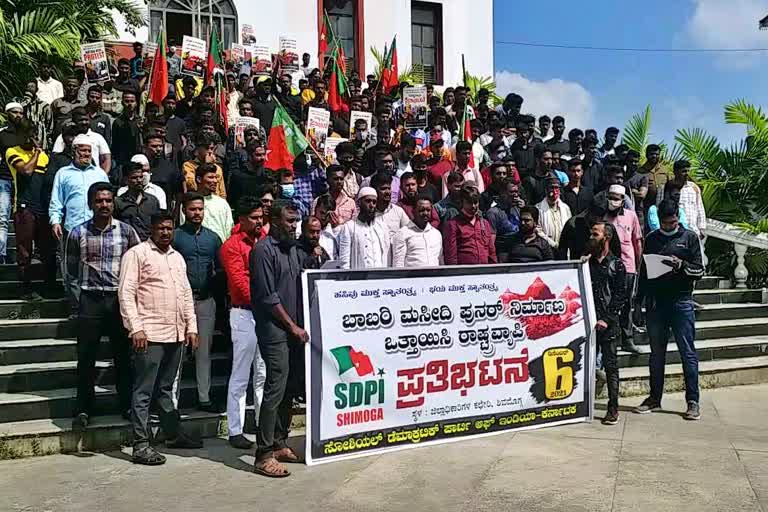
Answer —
(364, 242)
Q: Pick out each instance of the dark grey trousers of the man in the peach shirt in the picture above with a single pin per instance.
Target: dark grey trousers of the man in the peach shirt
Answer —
(156, 365)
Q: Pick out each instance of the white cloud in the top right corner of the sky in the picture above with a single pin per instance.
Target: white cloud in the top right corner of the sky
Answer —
(731, 24)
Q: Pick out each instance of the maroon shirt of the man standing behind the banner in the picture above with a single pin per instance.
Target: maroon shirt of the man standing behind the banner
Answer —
(465, 243)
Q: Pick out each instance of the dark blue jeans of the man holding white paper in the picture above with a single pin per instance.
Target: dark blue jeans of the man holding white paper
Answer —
(679, 316)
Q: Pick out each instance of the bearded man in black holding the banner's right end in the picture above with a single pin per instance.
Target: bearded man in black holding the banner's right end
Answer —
(610, 296)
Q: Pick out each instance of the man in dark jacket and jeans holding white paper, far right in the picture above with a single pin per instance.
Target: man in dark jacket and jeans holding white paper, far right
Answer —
(669, 303)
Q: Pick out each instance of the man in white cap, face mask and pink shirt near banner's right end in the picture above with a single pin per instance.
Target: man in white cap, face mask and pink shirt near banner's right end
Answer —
(630, 236)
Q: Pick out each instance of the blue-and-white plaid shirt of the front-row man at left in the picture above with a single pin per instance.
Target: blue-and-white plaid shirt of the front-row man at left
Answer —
(93, 257)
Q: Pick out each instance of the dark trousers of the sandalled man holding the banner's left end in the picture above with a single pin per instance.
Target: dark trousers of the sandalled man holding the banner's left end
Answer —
(277, 403)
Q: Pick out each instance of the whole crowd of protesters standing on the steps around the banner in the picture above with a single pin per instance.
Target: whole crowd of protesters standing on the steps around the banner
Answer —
(160, 223)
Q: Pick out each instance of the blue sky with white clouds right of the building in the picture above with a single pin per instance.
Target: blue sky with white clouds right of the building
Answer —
(599, 89)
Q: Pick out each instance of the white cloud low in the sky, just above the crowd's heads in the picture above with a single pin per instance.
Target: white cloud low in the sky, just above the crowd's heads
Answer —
(552, 97)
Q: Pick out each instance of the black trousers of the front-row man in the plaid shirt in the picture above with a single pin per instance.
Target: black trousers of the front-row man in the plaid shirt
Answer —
(99, 315)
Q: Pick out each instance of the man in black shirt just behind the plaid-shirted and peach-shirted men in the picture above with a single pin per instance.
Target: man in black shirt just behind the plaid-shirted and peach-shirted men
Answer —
(134, 206)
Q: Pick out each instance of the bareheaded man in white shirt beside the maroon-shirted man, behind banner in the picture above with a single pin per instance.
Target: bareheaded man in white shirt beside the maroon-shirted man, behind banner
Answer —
(418, 244)
